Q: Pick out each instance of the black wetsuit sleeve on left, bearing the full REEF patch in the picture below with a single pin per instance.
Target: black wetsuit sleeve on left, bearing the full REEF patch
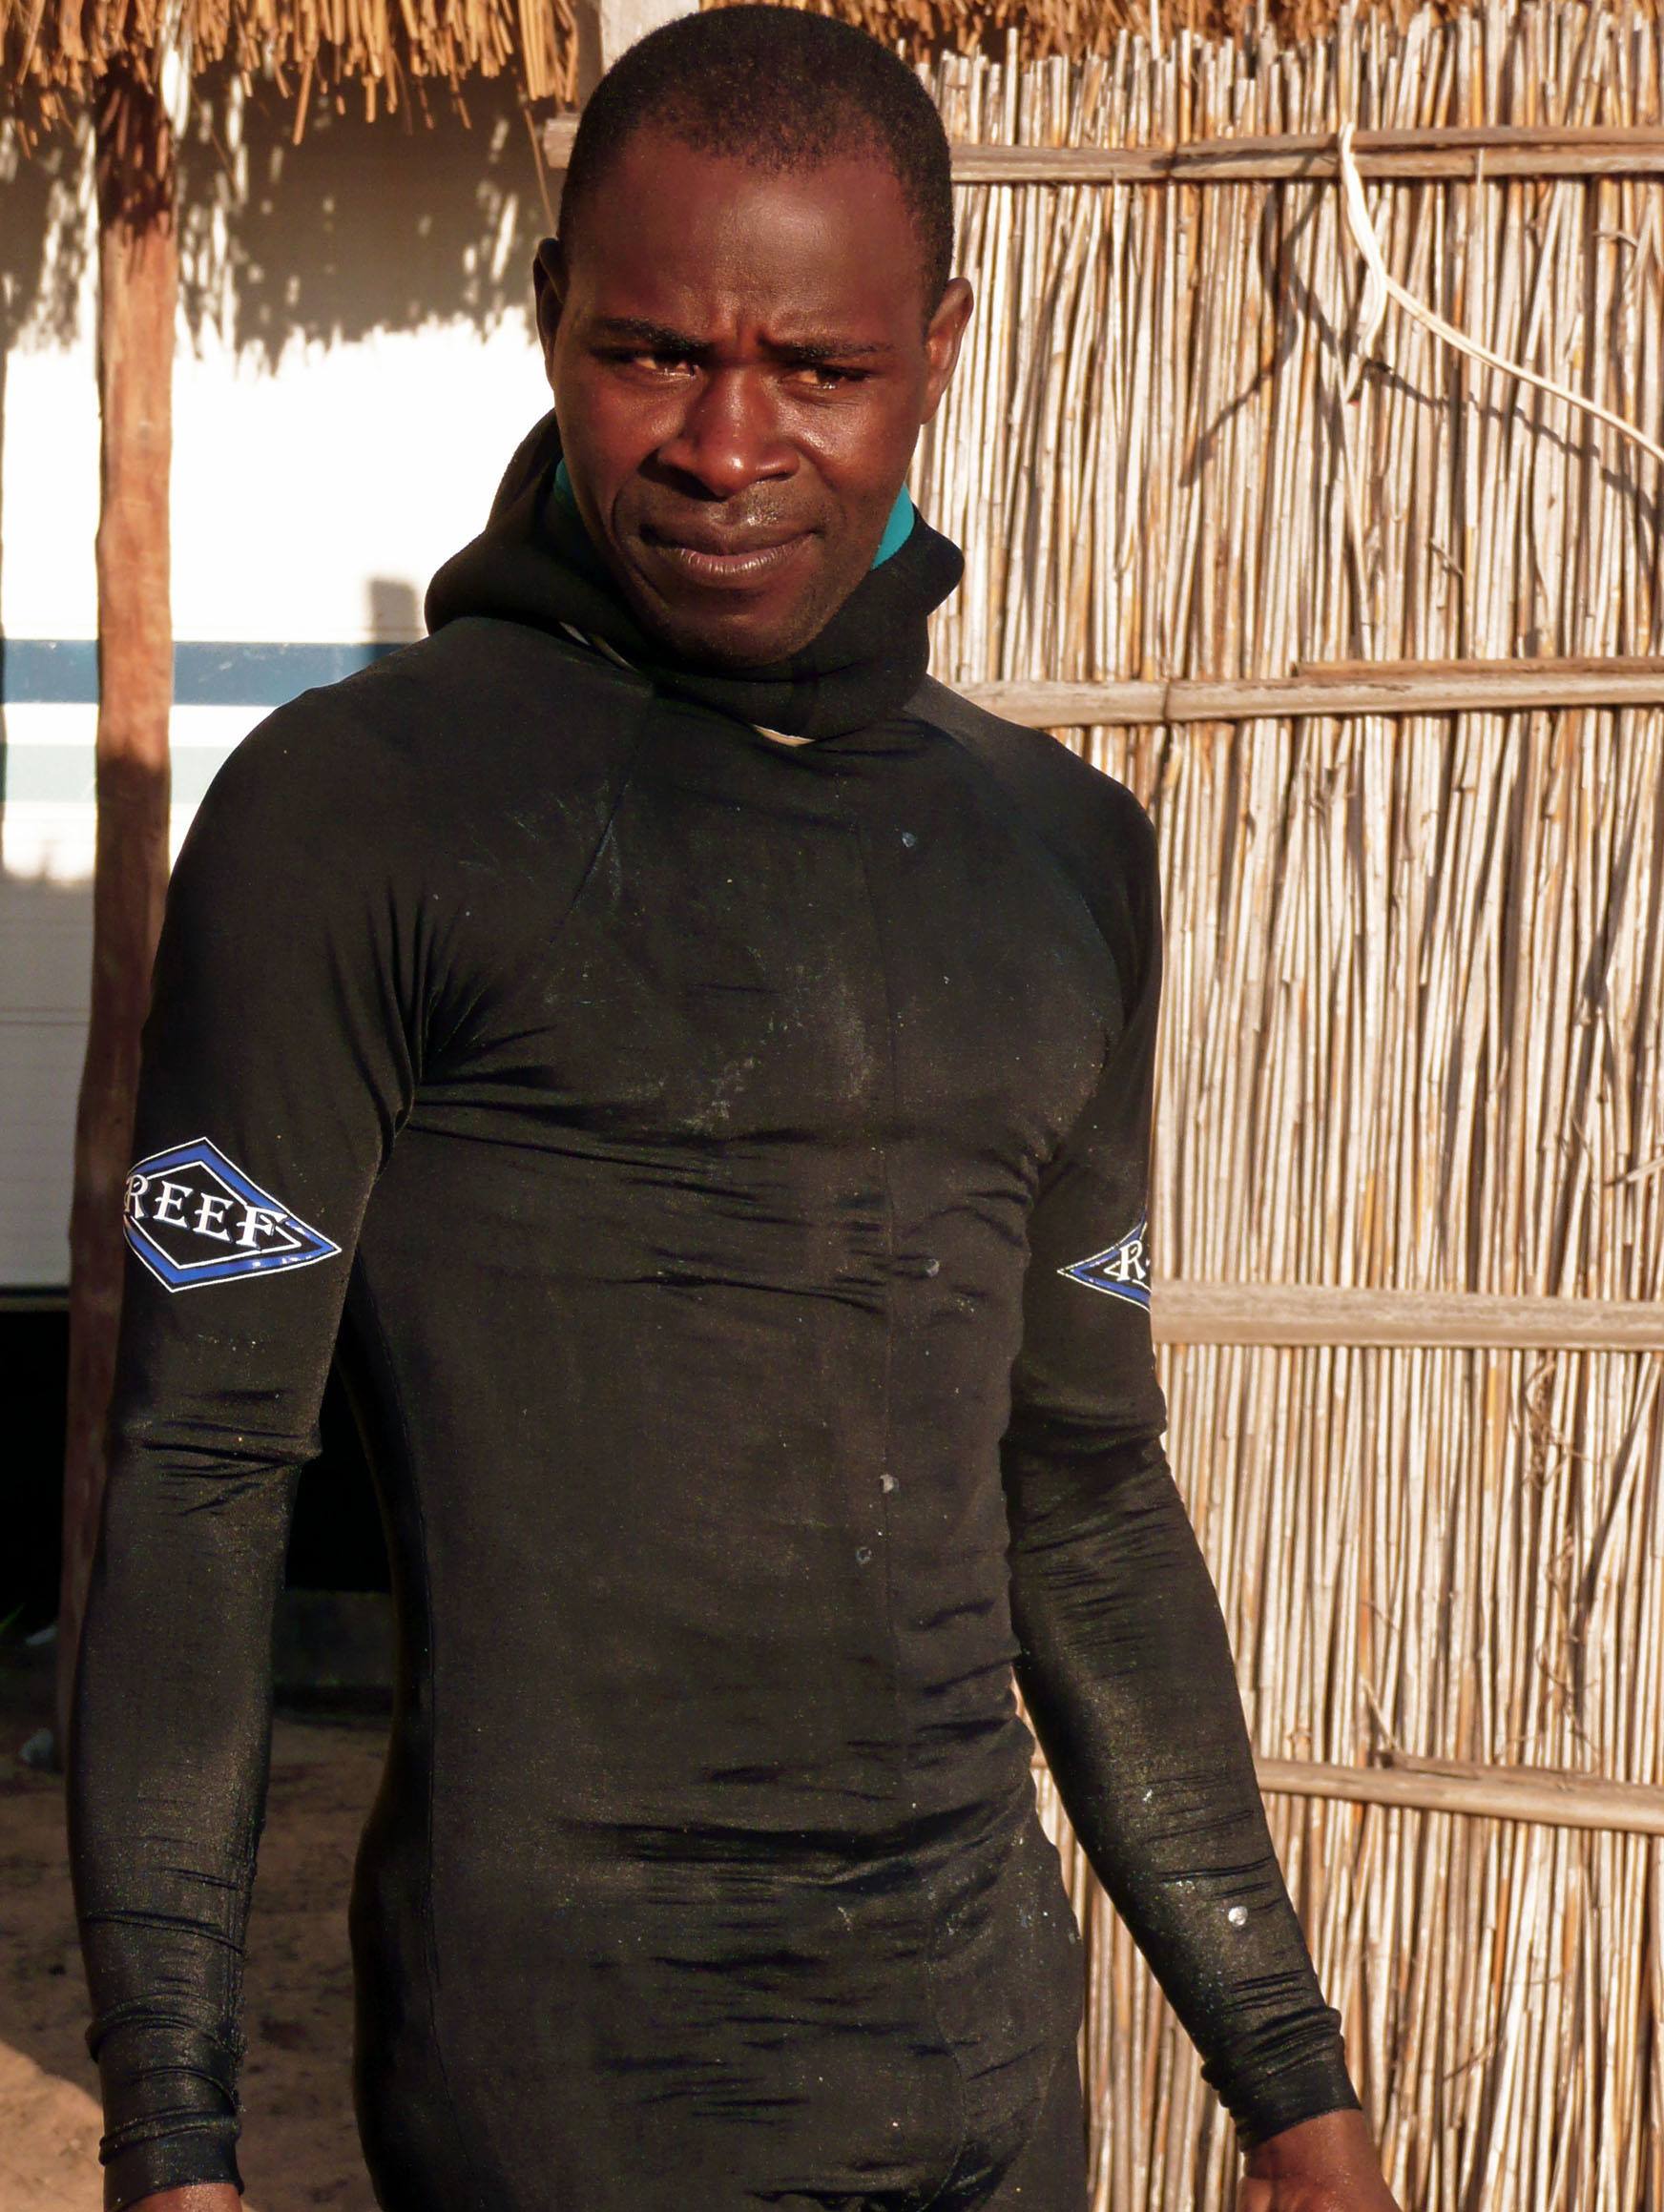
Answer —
(278, 1063)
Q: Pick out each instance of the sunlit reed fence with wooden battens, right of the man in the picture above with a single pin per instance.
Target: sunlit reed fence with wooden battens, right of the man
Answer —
(1411, 1127)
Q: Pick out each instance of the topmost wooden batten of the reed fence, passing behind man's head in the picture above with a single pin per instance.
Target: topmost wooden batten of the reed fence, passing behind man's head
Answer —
(1481, 154)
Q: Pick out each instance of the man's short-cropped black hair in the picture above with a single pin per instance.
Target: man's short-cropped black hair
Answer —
(782, 90)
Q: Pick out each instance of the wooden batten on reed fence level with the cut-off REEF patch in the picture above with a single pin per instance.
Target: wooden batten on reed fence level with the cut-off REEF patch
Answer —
(1185, 1313)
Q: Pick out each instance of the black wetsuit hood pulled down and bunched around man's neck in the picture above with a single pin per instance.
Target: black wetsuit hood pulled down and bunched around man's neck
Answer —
(534, 563)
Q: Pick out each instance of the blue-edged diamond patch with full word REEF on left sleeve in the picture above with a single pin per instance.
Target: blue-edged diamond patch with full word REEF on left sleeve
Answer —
(194, 1218)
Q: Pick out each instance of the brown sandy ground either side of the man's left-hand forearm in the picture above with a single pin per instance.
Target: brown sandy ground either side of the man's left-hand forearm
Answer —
(300, 2142)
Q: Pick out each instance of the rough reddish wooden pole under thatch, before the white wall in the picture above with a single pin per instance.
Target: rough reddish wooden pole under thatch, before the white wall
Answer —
(138, 284)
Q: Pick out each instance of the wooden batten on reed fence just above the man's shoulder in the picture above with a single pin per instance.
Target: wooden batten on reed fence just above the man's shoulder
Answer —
(1389, 689)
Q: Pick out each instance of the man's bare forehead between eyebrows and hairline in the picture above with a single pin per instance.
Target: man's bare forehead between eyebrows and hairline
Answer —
(689, 238)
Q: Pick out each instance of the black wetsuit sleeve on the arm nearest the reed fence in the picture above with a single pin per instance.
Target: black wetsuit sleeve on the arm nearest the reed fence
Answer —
(1125, 1660)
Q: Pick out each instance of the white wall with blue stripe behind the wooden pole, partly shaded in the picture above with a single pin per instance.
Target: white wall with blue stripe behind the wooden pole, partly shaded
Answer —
(355, 368)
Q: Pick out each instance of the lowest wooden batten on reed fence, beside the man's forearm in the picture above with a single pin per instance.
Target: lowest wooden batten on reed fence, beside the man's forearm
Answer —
(1543, 1795)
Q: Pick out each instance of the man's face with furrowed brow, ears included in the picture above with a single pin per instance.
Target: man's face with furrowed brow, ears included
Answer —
(742, 366)
